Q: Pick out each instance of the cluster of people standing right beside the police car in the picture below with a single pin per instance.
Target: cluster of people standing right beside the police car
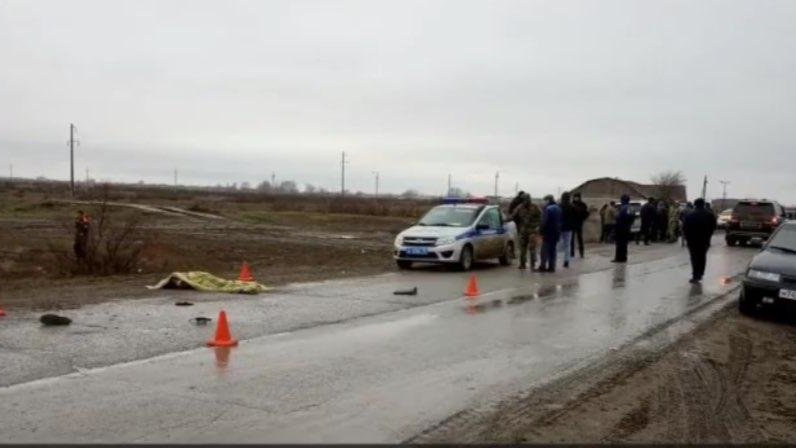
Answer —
(559, 225)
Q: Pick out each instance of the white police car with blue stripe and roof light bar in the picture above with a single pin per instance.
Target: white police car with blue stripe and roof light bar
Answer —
(458, 232)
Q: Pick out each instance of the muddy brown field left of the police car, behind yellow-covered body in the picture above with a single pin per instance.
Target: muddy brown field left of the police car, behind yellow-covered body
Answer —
(281, 247)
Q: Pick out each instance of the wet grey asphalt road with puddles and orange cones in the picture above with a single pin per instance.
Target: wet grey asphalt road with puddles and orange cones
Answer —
(342, 361)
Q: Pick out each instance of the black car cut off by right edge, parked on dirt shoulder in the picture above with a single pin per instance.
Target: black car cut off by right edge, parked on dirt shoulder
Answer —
(770, 279)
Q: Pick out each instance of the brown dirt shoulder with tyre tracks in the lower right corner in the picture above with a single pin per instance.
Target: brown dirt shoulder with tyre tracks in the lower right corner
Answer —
(731, 381)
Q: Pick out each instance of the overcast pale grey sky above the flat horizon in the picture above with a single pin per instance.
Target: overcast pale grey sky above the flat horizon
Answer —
(550, 93)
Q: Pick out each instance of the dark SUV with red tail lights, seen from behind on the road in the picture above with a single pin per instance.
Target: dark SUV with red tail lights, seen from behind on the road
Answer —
(753, 219)
